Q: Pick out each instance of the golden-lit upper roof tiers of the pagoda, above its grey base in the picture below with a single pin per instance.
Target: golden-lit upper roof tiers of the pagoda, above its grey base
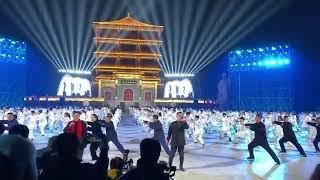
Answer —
(127, 48)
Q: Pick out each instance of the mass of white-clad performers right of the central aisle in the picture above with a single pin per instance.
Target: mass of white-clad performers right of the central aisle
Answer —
(229, 125)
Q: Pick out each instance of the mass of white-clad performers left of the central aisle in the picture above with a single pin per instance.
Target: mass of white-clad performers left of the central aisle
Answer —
(53, 120)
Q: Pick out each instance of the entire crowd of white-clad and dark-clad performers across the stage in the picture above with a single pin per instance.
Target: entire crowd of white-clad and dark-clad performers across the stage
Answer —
(254, 129)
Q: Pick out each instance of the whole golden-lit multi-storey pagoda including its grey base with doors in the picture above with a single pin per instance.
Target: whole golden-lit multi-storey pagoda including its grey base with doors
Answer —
(129, 54)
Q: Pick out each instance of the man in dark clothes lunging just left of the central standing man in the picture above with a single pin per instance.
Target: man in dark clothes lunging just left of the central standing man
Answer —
(158, 133)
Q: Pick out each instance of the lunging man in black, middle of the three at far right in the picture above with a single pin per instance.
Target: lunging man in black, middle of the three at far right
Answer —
(288, 135)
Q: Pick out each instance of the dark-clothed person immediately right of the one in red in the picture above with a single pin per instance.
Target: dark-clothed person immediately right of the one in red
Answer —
(95, 136)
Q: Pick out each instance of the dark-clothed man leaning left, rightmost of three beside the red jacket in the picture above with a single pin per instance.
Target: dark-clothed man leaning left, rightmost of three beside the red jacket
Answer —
(112, 134)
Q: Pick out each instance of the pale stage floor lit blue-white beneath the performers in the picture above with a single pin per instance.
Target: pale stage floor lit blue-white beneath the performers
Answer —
(220, 159)
